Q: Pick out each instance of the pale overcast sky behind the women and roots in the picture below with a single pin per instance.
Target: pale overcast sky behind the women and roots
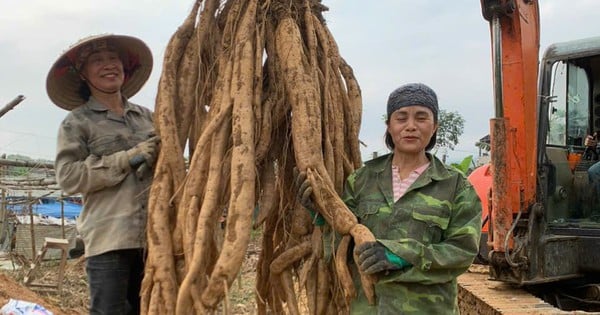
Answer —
(444, 44)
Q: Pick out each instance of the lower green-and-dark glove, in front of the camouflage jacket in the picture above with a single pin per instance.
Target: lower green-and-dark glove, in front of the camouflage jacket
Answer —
(373, 257)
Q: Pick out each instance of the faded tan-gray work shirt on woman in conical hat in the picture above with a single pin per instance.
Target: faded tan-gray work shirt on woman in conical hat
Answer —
(92, 160)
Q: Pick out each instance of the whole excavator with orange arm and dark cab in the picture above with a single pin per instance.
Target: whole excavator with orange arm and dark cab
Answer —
(540, 210)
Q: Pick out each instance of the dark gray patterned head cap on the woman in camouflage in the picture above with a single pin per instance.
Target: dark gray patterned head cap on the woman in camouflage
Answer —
(412, 94)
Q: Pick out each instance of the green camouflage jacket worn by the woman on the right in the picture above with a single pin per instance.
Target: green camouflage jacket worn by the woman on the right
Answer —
(435, 226)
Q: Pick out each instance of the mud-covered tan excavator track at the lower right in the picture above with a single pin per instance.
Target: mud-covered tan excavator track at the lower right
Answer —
(478, 295)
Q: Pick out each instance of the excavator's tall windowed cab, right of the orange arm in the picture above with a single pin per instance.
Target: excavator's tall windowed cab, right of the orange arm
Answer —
(569, 109)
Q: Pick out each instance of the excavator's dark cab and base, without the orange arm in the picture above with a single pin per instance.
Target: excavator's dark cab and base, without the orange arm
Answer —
(555, 240)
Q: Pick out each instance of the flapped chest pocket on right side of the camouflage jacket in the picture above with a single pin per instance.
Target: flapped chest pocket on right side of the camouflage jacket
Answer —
(427, 225)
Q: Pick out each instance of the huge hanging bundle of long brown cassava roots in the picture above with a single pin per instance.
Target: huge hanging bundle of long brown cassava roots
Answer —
(256, 90)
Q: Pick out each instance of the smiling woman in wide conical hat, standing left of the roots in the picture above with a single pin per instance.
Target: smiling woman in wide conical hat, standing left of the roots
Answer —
(106, 149)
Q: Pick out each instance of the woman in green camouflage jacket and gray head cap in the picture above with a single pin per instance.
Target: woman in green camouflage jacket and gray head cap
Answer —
(425, 215)
